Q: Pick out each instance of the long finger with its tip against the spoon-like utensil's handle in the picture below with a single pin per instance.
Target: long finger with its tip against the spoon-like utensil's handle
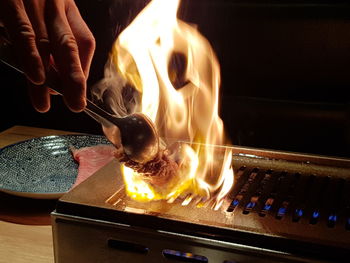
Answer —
(66, 55)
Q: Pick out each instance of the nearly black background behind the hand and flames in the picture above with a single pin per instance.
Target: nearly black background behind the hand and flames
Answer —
(285, 71)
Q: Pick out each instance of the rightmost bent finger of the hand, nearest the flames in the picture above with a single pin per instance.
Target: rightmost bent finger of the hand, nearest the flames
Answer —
(83, 36)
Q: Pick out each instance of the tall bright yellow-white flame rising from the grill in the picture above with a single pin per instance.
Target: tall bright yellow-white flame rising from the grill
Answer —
(175, 69)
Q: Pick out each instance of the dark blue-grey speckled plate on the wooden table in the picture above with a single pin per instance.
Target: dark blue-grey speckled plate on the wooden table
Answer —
(43, 167)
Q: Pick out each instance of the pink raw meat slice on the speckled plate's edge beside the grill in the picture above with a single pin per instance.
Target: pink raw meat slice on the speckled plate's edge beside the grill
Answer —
(91, 159)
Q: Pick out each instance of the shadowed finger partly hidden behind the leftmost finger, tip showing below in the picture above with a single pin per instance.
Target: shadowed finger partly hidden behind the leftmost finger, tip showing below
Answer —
(39, 94)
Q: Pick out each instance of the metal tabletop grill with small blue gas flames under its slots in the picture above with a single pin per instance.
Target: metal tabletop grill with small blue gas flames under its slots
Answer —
(283, 207)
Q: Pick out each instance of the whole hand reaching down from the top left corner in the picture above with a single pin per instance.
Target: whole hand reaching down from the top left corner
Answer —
(50, 32)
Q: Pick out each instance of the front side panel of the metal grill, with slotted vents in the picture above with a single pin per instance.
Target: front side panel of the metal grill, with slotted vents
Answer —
(86, 240)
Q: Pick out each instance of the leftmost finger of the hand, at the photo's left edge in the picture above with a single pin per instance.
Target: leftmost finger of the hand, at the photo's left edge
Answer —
(21, 32)
